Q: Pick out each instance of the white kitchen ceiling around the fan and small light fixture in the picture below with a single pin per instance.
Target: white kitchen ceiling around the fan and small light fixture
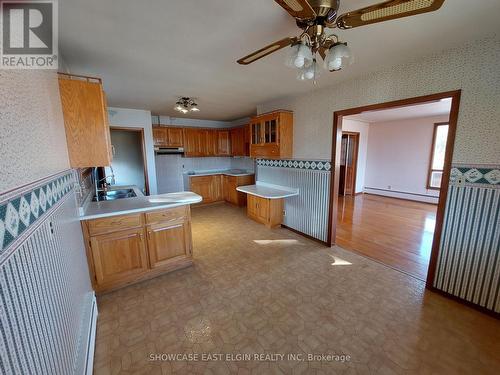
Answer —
(149, 53)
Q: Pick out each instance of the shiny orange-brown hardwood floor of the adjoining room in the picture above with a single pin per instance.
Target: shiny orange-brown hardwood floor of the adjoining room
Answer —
(392, 231)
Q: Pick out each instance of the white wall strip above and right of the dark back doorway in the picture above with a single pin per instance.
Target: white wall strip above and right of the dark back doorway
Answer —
(137, 118)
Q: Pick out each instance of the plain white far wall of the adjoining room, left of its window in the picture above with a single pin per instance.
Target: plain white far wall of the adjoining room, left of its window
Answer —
(399, 156)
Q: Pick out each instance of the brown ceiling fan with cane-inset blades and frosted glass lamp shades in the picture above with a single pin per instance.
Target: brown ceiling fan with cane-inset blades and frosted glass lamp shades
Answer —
(314, 16)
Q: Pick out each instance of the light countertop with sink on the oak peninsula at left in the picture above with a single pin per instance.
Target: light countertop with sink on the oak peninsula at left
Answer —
(95, 210)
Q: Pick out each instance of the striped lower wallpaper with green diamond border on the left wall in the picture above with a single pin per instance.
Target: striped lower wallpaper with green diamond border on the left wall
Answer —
(46, 299)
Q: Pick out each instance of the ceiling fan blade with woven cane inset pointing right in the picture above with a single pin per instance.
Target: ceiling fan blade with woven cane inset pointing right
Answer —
(387, 10)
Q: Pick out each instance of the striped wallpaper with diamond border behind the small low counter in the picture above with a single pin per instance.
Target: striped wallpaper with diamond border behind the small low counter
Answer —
(307, 212)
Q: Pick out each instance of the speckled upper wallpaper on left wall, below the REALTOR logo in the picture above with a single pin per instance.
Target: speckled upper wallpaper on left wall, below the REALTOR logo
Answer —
(32, 136)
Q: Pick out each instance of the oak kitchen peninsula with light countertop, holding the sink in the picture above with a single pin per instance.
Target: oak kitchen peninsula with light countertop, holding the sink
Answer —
(134, 239)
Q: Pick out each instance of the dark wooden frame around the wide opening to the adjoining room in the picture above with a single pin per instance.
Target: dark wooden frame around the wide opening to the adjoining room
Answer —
(335, 160)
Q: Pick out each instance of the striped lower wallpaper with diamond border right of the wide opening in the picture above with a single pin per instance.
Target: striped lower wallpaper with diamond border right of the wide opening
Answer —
(469, 258)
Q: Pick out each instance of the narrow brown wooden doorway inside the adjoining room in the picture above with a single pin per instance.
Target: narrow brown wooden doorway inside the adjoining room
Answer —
(348, 163)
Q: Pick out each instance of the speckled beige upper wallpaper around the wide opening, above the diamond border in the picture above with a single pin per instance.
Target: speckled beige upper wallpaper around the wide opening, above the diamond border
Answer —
(472, 68)
